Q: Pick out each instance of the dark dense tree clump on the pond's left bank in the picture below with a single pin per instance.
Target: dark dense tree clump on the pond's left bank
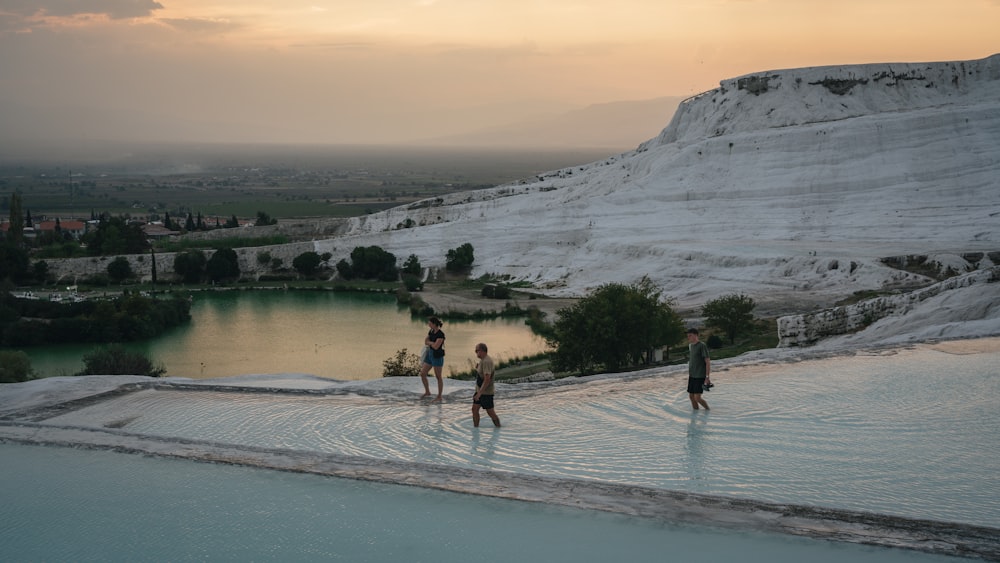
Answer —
(129, 317)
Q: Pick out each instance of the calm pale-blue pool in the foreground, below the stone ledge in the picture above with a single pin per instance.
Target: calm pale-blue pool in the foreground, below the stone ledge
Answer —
(62, 504)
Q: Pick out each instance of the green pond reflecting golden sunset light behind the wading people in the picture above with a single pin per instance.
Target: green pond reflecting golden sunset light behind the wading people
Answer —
(336, 335)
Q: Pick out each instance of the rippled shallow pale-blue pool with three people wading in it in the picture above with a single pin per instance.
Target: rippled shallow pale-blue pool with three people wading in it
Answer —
(911, 433)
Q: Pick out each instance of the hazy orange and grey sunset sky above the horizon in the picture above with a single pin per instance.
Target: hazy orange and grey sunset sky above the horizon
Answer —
(378, 70)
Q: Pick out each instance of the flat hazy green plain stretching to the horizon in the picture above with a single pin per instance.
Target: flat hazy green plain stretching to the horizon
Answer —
(285, 182)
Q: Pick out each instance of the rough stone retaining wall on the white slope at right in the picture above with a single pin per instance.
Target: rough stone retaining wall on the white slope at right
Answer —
(804, 330)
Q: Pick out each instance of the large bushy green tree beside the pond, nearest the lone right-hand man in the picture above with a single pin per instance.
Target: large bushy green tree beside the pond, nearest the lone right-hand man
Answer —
(617, 326)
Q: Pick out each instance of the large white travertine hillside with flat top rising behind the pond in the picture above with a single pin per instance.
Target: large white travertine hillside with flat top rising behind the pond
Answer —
(793, 194)
